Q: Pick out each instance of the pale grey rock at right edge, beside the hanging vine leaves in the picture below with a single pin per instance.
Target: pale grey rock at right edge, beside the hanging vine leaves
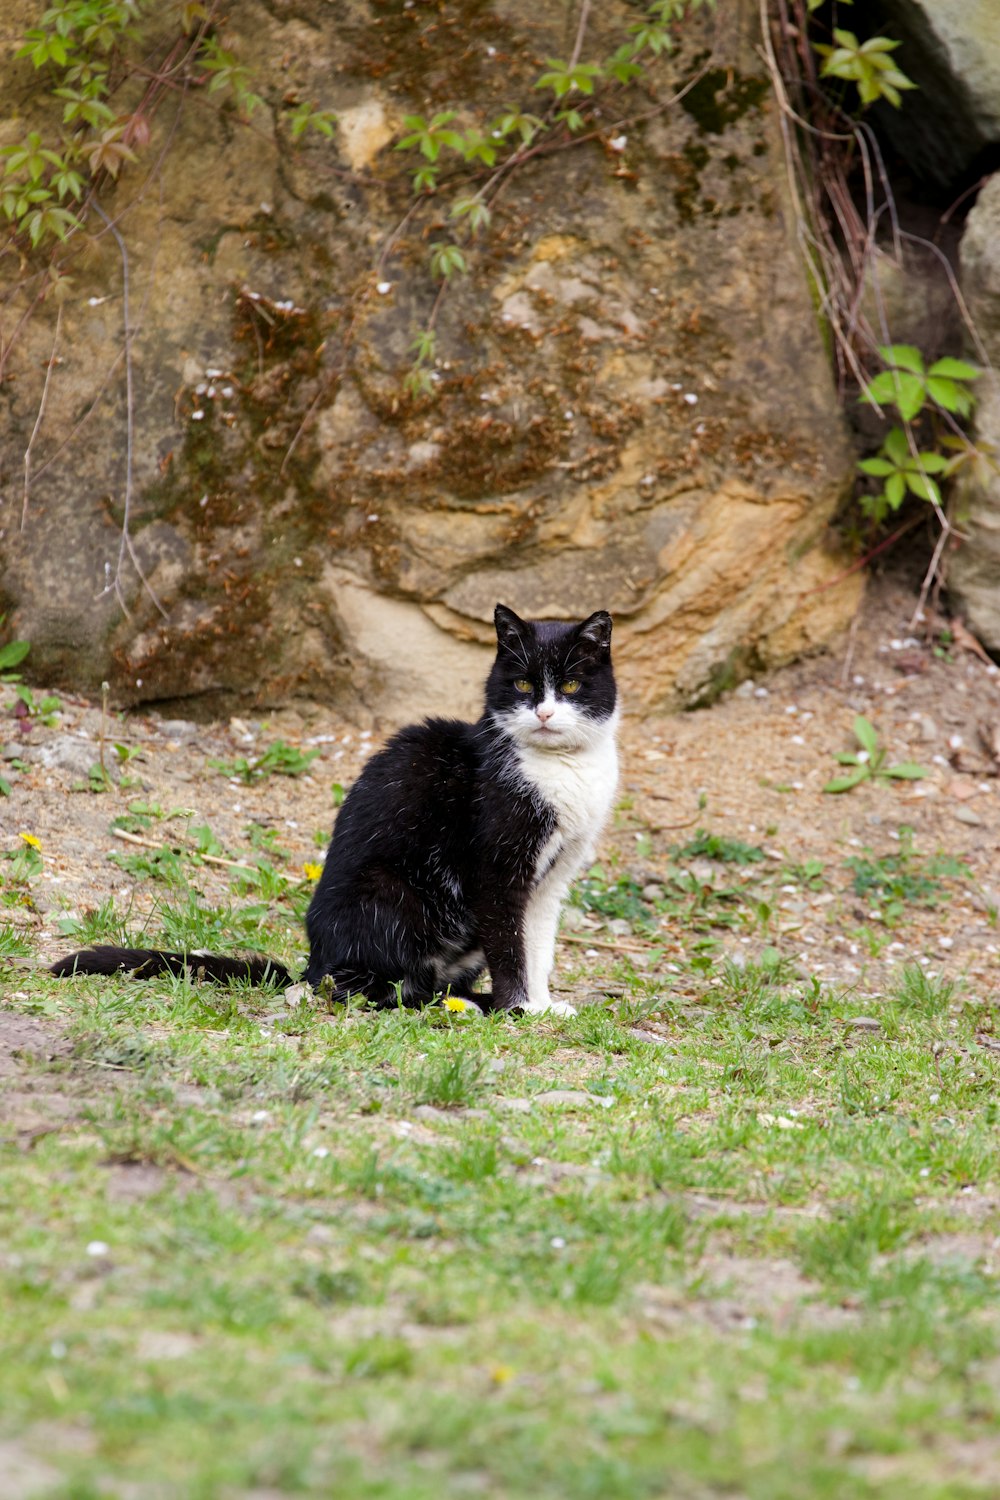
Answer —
(974, 572)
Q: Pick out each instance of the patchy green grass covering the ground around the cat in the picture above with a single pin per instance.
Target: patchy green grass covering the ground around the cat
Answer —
(293, 1252)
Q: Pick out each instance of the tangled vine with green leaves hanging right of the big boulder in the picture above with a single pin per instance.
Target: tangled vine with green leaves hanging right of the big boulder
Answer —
(825, 80)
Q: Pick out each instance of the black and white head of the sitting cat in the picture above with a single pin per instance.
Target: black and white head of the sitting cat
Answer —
(552, 685)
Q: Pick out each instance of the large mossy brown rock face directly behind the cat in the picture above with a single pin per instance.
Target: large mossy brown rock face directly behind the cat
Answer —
(632, 403)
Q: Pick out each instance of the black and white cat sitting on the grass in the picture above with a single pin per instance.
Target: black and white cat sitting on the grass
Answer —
(455, 848)
